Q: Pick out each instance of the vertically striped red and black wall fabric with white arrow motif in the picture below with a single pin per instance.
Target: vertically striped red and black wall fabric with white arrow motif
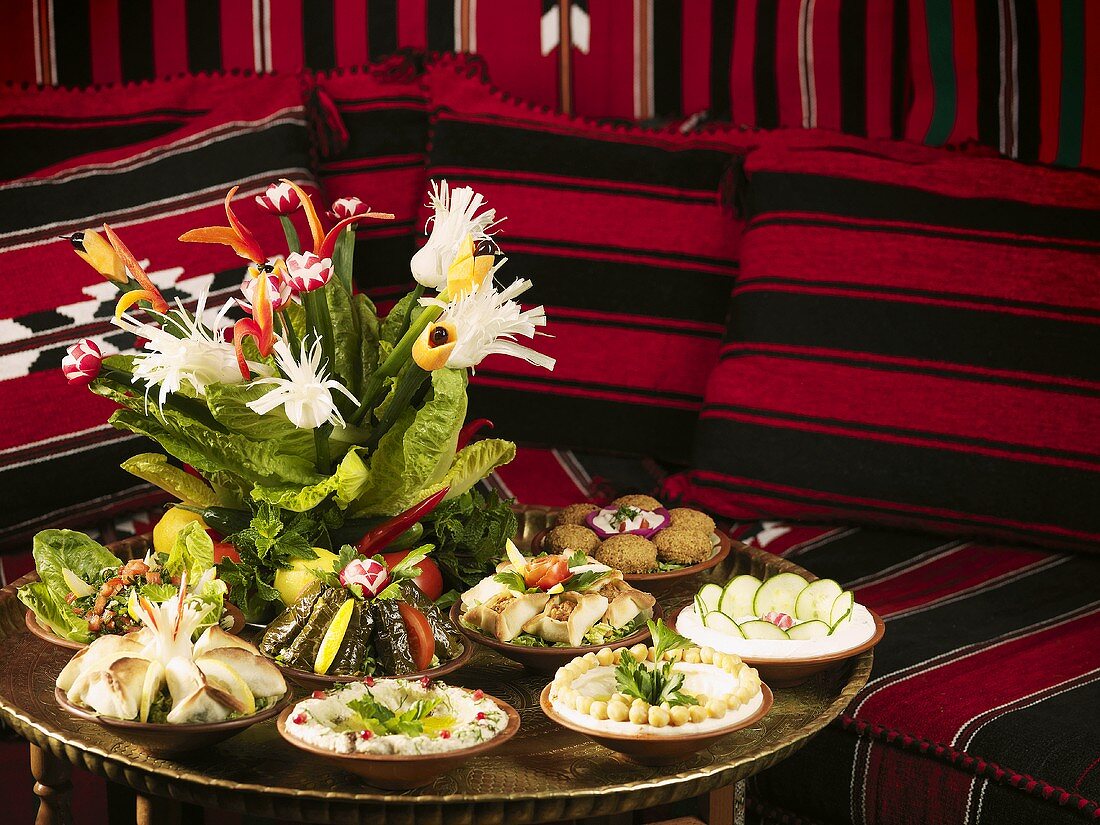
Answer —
(800, 63)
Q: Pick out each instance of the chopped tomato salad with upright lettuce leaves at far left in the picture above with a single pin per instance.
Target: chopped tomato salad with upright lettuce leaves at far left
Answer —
(84, 591)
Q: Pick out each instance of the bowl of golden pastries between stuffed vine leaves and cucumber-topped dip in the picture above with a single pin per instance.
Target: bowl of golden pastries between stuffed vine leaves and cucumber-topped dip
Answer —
(545, 611)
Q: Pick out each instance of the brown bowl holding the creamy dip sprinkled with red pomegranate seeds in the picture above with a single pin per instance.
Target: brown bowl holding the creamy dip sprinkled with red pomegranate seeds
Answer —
(400, 772)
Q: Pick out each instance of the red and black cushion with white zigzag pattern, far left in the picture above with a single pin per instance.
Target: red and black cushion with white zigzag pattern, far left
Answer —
(155, 160)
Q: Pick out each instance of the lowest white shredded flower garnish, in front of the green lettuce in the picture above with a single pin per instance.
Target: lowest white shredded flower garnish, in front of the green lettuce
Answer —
(306, 392)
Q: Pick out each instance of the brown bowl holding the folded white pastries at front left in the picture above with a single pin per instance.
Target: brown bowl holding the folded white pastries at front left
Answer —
(162, 740)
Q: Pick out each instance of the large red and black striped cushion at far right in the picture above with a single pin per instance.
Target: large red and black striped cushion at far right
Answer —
(912, 340)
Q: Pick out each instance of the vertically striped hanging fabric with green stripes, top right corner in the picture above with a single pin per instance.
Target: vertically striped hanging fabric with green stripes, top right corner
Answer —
(1021, 76)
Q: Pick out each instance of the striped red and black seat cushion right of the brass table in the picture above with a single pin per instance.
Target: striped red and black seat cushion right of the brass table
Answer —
(978, 708)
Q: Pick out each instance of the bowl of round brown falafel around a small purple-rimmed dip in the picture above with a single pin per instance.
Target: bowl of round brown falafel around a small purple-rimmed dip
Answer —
(653, 546)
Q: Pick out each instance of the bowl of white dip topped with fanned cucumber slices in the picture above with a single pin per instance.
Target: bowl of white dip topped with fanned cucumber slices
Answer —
(787, 626)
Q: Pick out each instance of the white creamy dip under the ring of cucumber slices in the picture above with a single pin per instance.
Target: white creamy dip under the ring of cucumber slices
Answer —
(850, 635)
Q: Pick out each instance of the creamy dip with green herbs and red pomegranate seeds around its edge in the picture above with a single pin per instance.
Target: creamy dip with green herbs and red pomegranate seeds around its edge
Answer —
(397, 717)
